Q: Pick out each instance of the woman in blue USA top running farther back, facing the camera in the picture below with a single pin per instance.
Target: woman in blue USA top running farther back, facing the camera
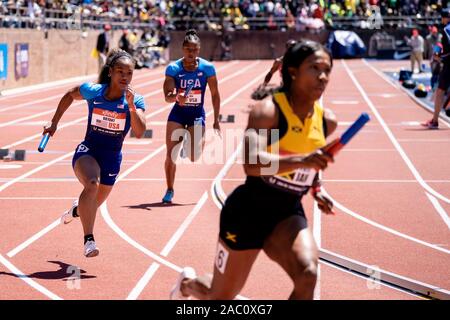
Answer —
(185, 84)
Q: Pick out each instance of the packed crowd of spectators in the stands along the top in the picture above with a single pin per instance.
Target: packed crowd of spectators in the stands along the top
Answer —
(210, 15)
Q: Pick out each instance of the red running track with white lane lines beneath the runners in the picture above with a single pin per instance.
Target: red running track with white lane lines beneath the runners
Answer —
(392, 177)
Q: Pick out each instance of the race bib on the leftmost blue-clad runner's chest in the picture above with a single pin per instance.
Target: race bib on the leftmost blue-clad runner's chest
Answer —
(109, 122)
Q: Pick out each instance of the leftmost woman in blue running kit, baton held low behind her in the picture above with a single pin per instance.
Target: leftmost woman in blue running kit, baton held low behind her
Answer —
(113, 109)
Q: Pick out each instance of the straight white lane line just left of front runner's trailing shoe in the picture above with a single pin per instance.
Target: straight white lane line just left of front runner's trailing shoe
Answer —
(148, 275)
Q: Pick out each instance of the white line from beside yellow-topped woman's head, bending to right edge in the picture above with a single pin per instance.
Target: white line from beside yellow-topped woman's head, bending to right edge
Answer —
(393, 139)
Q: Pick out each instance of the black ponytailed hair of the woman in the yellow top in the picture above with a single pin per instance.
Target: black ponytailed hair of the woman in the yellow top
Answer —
(293, 58)
